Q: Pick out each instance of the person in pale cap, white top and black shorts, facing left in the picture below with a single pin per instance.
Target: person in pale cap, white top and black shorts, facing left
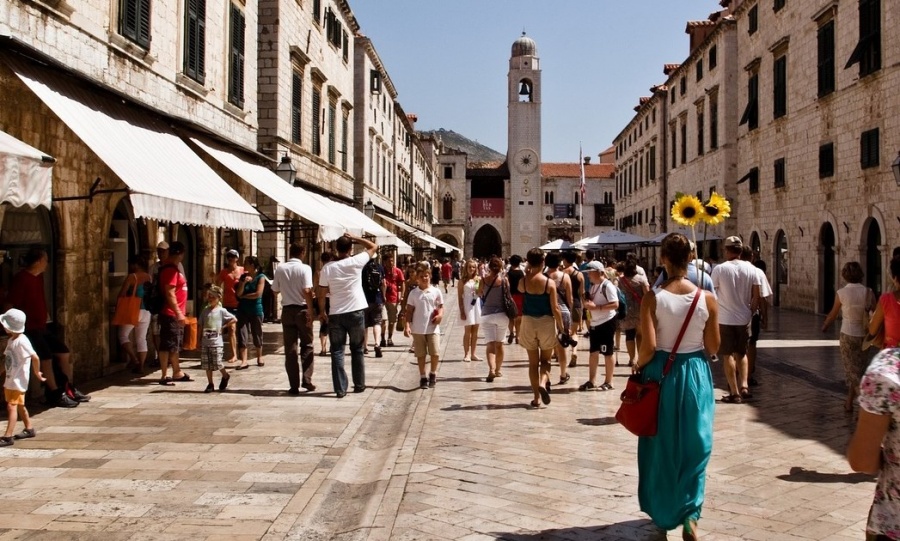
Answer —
(603, 303)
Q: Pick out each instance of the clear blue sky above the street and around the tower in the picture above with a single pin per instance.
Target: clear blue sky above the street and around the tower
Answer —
(448, 60)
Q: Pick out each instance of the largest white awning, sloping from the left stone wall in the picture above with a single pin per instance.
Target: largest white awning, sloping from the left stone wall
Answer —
(166, 180)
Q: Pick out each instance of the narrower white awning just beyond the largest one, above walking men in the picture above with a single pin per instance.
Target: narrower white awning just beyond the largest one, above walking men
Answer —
(297, 200)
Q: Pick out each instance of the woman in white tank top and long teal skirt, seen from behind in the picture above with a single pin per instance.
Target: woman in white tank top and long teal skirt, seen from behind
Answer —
(672, 464)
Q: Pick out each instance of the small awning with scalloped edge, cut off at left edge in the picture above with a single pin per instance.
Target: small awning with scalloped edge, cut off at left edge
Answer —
(25, 174)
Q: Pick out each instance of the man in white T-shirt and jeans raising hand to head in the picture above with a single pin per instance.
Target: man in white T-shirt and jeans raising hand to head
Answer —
(342, 280)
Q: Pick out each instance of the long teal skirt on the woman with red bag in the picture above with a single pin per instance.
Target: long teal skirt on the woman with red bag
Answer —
(672, 464)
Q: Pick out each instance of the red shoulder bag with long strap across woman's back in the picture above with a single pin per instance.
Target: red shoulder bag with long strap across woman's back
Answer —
(639, 412)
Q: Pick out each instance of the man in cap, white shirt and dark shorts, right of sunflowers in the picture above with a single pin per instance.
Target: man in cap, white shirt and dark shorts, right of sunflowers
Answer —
(737, 290)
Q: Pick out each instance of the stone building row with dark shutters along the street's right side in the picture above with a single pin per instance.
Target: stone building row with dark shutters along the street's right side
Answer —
(805, 121)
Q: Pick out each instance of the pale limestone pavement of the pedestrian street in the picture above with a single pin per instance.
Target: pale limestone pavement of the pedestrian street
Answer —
(466, 460)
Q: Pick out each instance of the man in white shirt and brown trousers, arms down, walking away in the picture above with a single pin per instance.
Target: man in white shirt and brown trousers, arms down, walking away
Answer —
(293, 279)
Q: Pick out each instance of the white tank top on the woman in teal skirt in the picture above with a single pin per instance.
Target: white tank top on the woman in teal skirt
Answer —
(670, 312)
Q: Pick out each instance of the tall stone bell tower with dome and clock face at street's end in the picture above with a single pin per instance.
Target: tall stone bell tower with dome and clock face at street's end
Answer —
(524, 147)
